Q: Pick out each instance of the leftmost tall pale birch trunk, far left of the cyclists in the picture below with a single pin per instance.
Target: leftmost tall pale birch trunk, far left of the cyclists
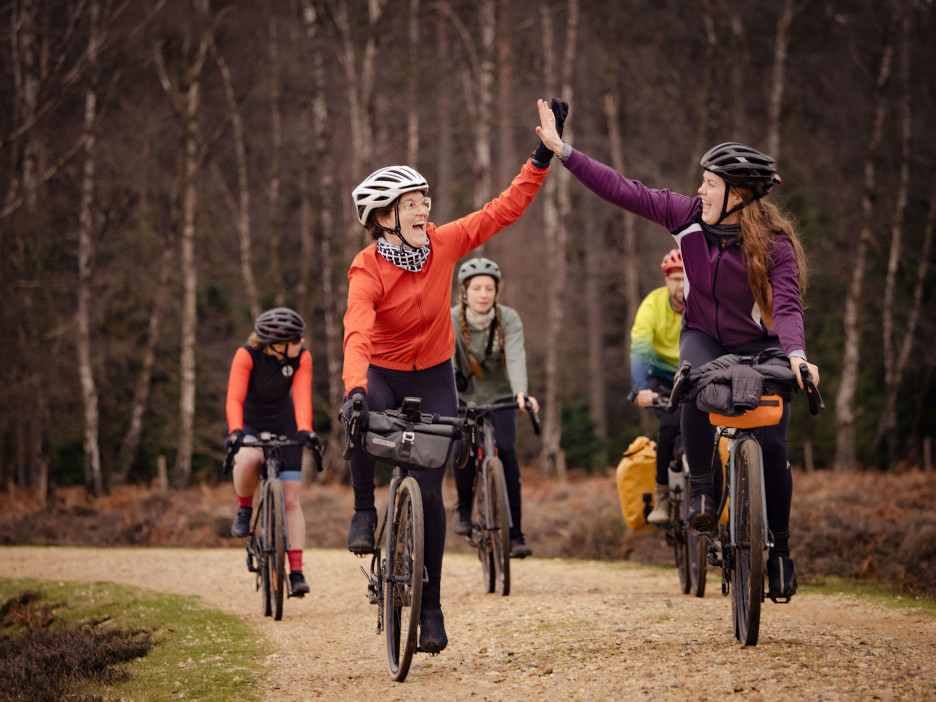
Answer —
(94, 482)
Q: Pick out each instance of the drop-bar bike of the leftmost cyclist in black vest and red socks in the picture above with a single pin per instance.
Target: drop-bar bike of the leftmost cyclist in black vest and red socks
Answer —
(269, 536)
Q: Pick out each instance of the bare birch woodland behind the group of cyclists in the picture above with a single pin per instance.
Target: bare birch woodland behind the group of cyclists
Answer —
(173, 167)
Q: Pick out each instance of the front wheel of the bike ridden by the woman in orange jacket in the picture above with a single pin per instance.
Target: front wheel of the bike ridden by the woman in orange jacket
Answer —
(404, 578)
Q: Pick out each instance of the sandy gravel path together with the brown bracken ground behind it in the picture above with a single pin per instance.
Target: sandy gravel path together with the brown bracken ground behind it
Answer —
(570, 629)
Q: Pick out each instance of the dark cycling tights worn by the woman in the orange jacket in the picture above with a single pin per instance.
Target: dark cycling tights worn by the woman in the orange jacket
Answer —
(386, 390)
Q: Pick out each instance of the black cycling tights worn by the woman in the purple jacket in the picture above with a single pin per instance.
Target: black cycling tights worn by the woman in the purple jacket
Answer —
(699, 348)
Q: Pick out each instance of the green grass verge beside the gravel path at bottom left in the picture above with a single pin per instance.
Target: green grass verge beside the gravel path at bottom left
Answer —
(197, 653)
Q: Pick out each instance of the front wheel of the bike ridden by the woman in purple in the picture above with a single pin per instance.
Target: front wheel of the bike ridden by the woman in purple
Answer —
(748, 508)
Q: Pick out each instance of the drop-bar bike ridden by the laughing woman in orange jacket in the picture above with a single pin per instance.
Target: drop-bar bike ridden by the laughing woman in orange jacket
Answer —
(397, 571)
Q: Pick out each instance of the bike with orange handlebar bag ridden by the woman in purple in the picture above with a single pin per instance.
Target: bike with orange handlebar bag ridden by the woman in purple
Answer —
(740, 547)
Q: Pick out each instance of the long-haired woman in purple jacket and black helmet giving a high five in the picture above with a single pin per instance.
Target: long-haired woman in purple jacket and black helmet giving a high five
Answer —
(744, 273)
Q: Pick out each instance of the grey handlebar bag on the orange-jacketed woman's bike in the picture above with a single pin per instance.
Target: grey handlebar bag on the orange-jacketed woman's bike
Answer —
(394, 439)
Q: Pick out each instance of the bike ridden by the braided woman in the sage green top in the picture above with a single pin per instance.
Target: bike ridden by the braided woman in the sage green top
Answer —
(490, 510)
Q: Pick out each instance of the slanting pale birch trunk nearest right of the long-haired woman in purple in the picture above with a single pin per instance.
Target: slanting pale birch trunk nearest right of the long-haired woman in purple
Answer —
(845, 399)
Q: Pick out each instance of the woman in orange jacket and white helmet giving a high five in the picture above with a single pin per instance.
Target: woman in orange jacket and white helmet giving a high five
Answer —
(398, 330)
